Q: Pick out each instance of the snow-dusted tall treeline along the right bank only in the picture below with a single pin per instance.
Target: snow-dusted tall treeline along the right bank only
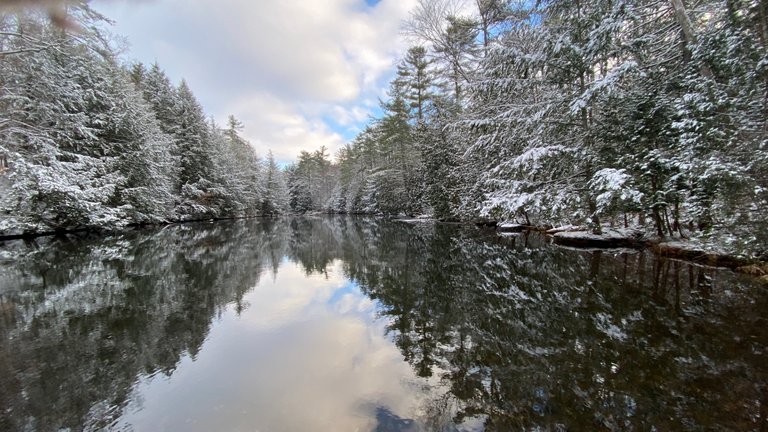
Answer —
(570, 112)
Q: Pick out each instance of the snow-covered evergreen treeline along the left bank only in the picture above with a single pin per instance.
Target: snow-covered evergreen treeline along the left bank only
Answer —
(86, 142)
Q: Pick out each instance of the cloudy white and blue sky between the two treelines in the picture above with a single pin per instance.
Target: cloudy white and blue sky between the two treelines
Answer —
(299, 74)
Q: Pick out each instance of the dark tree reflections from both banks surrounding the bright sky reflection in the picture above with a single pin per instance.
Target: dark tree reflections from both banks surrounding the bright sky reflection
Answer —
(524, 335)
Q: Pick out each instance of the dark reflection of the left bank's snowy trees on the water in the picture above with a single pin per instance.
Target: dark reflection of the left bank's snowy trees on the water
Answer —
(83, 318)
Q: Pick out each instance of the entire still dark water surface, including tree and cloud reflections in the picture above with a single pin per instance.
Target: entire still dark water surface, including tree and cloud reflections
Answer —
(362, 325)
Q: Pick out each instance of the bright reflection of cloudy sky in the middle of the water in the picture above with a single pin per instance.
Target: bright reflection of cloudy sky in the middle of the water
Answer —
(305, 355)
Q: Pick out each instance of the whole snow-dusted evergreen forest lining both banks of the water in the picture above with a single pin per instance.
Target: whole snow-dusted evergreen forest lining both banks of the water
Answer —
(650, 113)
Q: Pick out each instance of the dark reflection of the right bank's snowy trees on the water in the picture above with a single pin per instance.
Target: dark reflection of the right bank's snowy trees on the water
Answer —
(529, 336)
